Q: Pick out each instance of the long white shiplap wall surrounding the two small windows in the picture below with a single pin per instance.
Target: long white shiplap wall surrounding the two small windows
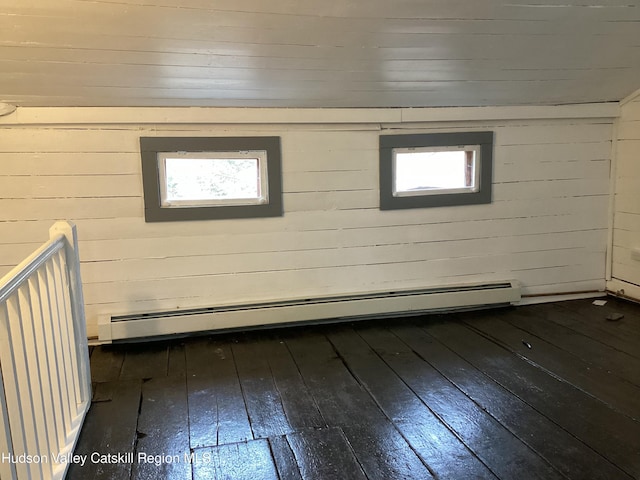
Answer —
(547, 225)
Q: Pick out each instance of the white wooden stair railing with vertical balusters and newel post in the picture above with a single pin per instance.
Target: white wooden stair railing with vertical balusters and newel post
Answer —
(45, 383)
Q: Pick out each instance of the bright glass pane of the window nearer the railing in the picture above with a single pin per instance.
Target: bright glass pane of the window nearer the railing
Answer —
(192, 179)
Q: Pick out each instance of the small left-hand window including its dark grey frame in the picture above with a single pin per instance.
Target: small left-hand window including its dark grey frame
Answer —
(186, 178)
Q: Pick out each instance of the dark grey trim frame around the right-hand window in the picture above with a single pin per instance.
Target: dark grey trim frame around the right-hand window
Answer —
(388, 142)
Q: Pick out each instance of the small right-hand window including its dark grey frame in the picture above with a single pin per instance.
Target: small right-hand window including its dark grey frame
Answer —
(433, 170)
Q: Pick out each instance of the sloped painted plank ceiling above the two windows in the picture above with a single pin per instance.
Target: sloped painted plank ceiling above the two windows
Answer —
(310, 53)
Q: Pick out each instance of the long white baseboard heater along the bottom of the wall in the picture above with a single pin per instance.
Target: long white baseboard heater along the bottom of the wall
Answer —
(361, 305)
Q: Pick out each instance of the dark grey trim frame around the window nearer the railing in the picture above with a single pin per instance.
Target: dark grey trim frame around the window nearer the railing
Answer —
(153, 210)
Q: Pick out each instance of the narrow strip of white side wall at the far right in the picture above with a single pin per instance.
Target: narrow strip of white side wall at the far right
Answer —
(626, 232)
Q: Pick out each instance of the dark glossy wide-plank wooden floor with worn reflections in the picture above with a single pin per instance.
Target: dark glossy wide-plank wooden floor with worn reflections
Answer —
(549, 391)
